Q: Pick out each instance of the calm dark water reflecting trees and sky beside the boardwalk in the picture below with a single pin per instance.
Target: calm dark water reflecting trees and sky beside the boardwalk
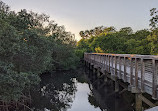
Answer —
(72, 91)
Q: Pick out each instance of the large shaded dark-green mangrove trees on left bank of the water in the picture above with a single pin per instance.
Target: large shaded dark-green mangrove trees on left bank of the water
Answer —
(30, 44)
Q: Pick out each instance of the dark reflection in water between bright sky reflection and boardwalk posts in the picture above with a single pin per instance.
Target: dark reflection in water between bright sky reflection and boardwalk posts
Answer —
(106, 99)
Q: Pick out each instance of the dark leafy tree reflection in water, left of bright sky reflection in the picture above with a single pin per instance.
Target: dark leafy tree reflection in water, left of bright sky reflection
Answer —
(55, 92)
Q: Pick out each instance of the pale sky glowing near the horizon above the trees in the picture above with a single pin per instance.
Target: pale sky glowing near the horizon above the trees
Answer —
(77, 15)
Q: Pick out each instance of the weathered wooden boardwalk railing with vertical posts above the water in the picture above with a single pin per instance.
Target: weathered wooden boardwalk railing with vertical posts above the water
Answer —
(140, 71)
